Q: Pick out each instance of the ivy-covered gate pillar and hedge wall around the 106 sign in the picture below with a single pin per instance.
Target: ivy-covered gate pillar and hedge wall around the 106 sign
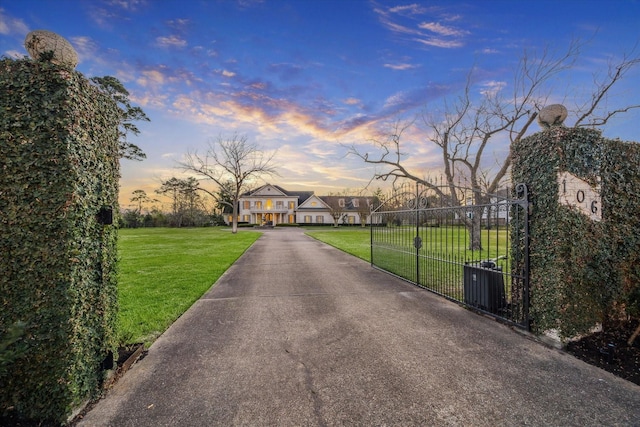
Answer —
(582, 271)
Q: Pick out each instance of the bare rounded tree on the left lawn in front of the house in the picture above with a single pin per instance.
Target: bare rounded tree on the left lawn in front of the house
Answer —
(231, 164)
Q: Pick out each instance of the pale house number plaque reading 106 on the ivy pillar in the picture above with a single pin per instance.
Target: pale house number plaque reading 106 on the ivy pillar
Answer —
(572, 191)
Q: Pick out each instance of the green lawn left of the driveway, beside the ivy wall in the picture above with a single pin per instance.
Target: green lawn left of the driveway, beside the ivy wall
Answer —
(163, 271)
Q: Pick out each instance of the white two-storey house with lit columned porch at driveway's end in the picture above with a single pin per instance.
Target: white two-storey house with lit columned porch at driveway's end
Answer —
(273, 205)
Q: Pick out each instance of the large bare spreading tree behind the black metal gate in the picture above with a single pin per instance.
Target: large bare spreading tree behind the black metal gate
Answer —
(464, 132)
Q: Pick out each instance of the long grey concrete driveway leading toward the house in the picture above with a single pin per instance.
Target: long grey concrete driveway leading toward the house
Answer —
(297, 333)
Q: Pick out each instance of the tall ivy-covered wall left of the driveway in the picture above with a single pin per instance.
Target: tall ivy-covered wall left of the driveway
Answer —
(58, 184)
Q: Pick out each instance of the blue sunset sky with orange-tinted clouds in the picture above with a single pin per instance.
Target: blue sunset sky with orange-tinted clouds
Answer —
(308, 79)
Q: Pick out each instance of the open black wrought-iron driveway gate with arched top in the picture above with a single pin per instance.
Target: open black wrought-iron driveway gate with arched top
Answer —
(459, 243)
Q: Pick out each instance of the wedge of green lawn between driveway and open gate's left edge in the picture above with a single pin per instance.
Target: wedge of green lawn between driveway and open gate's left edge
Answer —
(353, 240)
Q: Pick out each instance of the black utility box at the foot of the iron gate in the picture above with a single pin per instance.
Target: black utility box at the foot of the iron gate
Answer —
(484, 286)
